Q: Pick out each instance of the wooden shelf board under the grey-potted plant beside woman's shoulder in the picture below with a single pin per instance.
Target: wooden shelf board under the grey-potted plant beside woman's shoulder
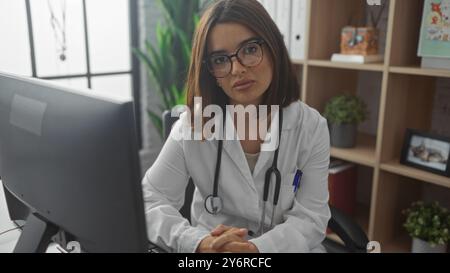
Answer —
(363, 153)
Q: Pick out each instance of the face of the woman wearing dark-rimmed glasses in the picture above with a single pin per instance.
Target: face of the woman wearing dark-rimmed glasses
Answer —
(227, 39)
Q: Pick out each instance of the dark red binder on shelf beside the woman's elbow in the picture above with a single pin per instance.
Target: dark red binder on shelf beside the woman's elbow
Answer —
(342, 182)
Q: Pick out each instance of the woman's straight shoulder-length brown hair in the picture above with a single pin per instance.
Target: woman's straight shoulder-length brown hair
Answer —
(284, 88)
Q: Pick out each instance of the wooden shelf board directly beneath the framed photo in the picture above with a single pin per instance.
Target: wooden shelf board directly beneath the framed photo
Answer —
(394, 166)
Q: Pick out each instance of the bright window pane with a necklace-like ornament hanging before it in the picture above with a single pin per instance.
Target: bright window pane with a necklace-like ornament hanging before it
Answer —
(51, 35)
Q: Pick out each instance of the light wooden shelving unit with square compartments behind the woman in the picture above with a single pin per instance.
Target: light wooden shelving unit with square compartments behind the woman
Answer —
(405, 100)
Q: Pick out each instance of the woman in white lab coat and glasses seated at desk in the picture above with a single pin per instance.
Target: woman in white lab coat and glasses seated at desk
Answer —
(239, 58)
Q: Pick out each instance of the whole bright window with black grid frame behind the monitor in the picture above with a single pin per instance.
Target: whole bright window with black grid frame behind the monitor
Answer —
(77, 43)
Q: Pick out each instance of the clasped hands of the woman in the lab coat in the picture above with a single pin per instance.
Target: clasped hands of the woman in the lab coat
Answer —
(225, 239)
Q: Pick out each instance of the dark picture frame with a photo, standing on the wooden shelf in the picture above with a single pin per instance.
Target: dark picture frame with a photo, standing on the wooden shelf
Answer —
(426, 151)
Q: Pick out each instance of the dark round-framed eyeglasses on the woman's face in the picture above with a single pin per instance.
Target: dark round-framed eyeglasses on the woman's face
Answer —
(248, 55)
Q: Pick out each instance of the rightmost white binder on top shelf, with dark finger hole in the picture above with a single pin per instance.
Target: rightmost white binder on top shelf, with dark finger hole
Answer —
(298, 29)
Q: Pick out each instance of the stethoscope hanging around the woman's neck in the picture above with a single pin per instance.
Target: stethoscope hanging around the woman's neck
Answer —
(214, 203)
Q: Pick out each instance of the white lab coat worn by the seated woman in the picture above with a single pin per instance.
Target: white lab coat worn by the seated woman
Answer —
(301, 220)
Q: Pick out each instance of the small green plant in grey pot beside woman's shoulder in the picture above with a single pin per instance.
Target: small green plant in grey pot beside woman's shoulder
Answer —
(344, 113)
